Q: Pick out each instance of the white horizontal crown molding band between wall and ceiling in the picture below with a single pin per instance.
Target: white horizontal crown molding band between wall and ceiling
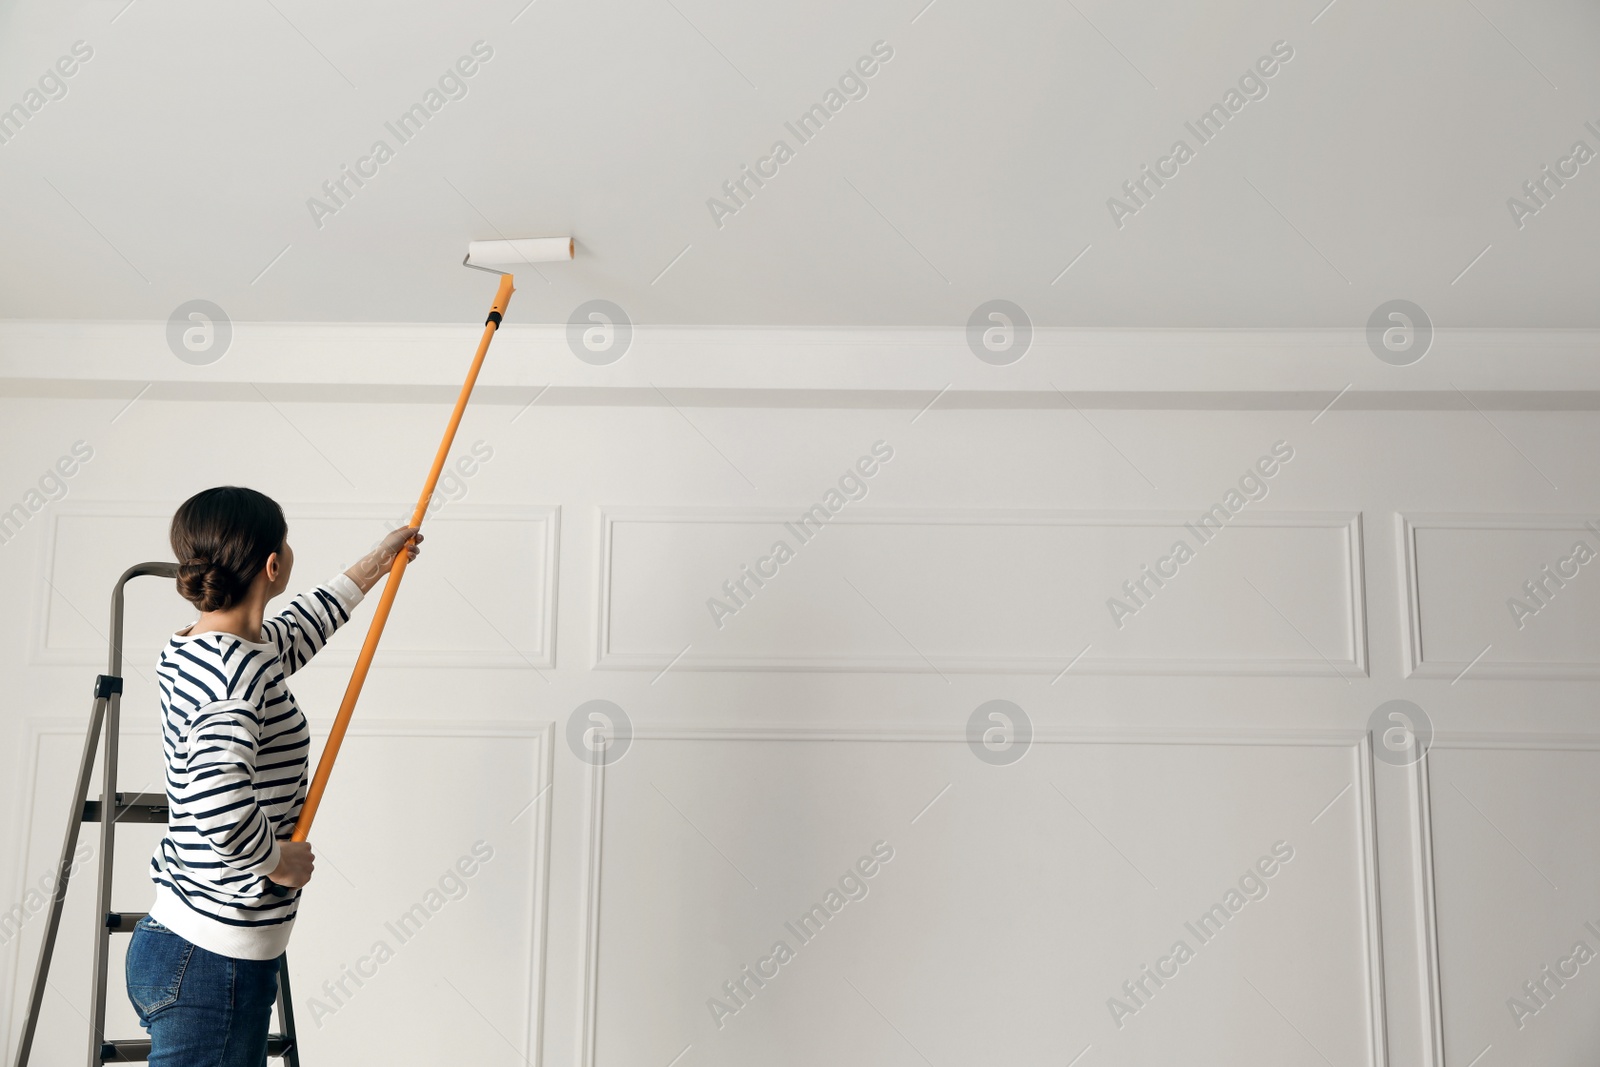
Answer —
(817, 367)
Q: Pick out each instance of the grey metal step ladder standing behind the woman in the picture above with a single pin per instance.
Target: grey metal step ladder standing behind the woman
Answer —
(122, 809)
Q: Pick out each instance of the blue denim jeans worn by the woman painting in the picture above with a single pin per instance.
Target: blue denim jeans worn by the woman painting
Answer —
(202, 1010)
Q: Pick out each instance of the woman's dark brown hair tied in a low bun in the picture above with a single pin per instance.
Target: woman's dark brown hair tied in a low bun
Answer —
(223, 540)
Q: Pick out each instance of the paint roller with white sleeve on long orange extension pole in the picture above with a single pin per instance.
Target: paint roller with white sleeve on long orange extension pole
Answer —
(479, 257)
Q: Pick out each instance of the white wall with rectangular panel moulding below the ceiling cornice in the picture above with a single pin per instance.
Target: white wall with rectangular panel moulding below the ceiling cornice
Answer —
(831, 714)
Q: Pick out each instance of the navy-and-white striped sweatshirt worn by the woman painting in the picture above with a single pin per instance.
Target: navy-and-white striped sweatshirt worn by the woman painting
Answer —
(238, 749)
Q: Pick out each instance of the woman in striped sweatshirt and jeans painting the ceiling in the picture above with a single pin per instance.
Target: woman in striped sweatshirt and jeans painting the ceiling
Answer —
(204, 967)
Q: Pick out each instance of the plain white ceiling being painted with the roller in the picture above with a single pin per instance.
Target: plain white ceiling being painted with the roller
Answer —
(180, 162)
